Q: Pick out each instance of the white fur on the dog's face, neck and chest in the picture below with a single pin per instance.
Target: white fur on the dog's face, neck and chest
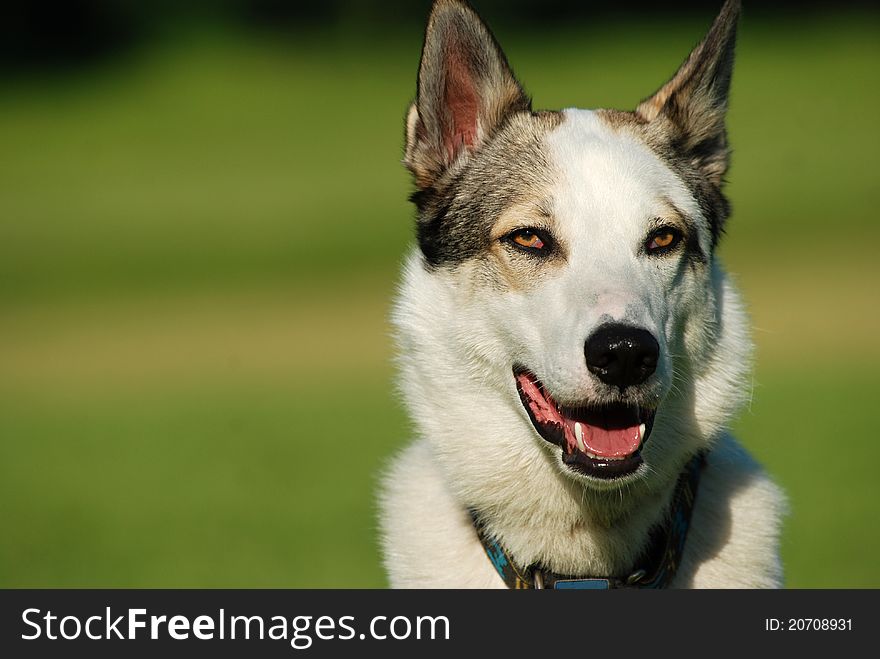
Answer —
(459, 337)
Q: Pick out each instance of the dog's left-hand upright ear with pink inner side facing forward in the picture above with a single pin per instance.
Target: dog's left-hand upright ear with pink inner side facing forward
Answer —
(465, 91)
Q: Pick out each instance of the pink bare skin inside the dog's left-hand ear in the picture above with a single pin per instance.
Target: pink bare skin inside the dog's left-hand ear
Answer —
(462, 103)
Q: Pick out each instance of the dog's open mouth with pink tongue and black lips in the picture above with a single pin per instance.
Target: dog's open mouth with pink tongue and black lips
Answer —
(602, 441)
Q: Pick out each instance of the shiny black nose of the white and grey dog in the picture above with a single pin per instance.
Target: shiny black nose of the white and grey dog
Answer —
(620, 355)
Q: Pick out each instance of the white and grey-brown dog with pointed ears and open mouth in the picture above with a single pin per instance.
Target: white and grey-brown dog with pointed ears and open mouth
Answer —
(570, 348)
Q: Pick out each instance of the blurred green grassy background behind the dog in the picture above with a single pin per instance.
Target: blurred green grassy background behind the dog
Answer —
(200, 233)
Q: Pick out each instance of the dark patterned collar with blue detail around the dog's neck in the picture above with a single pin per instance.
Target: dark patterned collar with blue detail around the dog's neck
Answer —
(655, 569)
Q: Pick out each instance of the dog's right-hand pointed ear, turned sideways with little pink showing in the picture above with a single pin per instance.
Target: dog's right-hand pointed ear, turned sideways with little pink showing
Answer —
(695, 99)
